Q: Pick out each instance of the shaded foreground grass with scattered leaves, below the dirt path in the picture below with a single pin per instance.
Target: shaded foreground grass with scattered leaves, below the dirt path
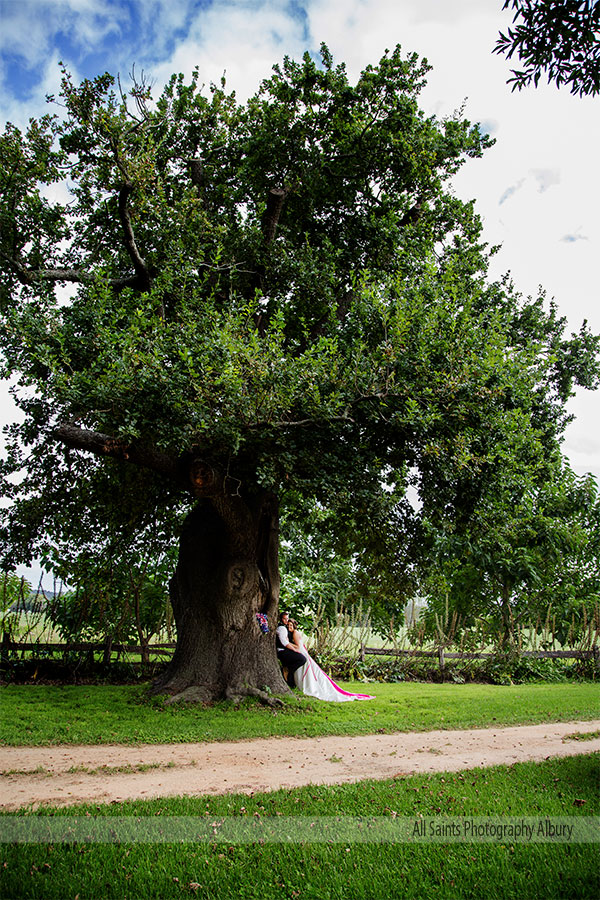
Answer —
(321, 871)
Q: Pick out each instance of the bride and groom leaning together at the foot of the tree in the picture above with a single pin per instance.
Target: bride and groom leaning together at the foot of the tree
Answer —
(302, 671)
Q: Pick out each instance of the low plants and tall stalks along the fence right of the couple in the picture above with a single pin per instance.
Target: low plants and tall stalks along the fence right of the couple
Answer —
(414, 651)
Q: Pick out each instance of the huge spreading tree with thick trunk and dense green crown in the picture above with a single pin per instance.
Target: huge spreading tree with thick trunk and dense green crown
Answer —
(276, 301)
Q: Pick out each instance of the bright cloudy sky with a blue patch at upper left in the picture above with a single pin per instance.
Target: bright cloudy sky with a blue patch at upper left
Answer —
(537, 189)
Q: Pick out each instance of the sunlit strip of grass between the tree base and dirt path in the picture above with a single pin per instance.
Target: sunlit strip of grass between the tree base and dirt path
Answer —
(49, 714)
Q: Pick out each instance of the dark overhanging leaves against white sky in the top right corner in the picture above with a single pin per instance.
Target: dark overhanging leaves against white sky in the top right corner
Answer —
(560, 38)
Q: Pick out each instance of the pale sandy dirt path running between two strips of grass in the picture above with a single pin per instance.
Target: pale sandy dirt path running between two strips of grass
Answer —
(65, 775)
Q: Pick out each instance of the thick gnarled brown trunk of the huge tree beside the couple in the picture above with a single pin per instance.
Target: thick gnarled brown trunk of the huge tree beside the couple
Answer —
(227, 572)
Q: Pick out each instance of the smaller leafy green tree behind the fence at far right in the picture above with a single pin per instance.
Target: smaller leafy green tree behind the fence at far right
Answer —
(526, 546)
